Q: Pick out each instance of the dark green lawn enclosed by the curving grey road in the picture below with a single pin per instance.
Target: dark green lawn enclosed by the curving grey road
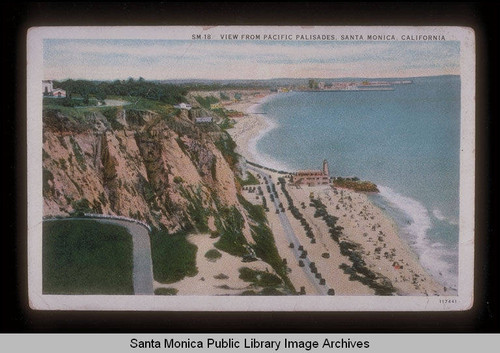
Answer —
(86, 257)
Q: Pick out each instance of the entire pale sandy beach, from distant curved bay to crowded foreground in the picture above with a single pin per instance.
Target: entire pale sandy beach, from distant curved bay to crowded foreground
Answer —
(365, 225)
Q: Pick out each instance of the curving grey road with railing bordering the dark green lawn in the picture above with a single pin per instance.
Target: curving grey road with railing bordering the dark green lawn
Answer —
(143, 265)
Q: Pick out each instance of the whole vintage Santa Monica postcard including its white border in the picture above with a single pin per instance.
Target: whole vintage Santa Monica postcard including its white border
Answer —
(251, 168)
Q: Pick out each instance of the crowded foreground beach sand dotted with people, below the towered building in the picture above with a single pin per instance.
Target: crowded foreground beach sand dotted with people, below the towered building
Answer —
(383, 251)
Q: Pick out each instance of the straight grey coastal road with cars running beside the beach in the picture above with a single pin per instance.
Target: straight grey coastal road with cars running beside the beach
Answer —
(292, 237)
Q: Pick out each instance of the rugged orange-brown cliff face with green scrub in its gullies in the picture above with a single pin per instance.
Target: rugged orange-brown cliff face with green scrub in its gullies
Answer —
(140, 164)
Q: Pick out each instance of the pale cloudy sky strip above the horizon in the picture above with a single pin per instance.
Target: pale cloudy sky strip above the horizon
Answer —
(99, 59)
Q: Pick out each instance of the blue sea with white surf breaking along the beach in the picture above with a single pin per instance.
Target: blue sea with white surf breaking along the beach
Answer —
(407, 141)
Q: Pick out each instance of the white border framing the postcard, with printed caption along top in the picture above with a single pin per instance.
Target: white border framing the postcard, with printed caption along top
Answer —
(39, 301)
